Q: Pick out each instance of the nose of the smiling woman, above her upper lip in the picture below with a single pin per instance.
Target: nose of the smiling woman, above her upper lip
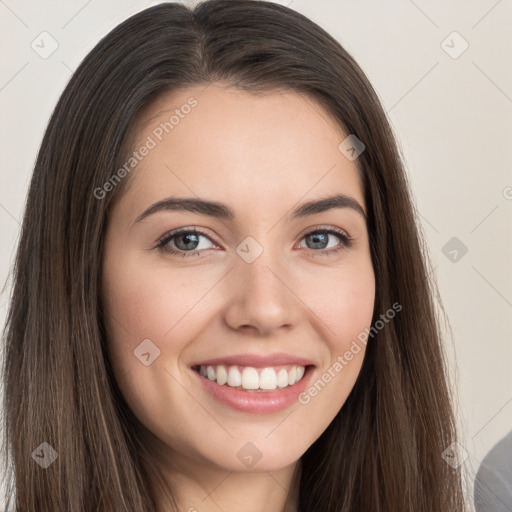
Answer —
(261, 297)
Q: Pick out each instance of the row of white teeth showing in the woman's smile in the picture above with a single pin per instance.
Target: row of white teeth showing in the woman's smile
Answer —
(252, 378)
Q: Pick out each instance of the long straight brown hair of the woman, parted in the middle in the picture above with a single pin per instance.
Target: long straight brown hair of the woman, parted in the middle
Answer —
(382, 452)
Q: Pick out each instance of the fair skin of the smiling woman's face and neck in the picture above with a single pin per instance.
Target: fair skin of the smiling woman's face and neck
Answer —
(262, 155)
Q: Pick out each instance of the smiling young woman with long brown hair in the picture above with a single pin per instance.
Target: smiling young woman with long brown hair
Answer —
(261, 372)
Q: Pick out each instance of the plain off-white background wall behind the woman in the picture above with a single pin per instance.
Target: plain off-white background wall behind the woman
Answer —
(452, 117)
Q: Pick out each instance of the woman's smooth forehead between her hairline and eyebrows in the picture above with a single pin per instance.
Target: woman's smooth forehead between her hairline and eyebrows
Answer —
(241, 148)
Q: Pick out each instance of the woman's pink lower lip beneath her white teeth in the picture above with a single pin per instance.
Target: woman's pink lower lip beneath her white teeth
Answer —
(257, 402)
